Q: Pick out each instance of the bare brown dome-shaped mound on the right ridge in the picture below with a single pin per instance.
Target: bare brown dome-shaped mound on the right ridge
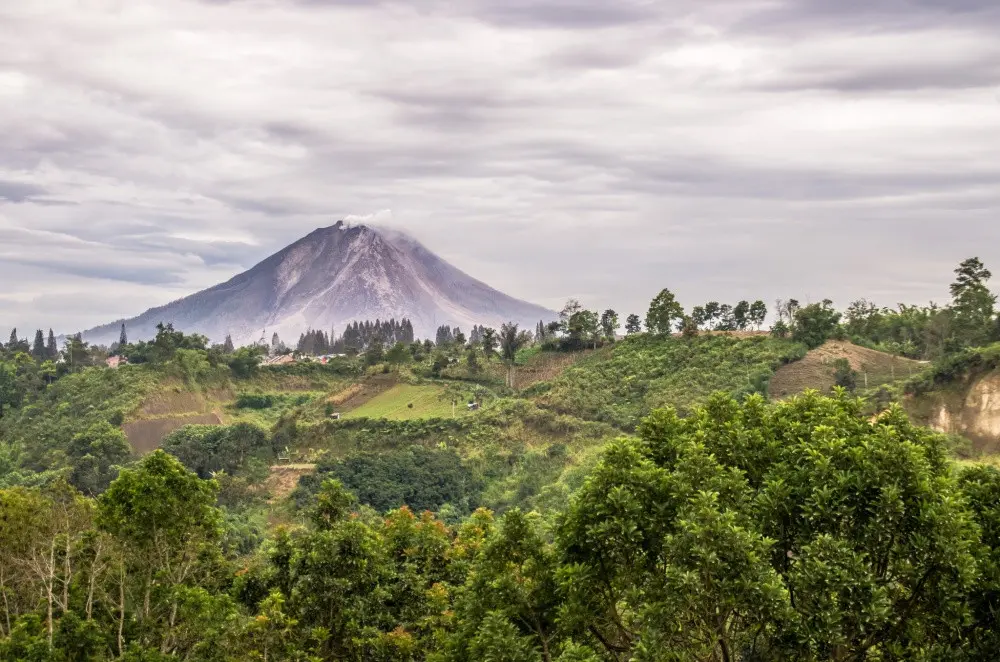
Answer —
(817, 369)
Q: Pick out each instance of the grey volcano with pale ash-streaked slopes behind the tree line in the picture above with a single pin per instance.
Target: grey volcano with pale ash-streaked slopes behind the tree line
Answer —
(327, 279)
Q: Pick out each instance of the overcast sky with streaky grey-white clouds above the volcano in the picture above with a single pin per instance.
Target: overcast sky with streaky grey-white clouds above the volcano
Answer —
(600, 149)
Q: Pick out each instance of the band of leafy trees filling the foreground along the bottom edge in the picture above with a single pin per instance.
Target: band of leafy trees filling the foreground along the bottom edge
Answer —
(749, 531)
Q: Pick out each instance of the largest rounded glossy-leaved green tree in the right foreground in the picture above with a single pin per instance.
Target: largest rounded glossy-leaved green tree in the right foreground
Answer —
(802, 530)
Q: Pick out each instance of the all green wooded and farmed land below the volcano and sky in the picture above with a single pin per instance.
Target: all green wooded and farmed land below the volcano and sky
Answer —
(568, 494)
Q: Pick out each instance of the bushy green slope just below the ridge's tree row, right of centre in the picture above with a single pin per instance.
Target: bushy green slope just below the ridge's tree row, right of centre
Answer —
(643, 372)
